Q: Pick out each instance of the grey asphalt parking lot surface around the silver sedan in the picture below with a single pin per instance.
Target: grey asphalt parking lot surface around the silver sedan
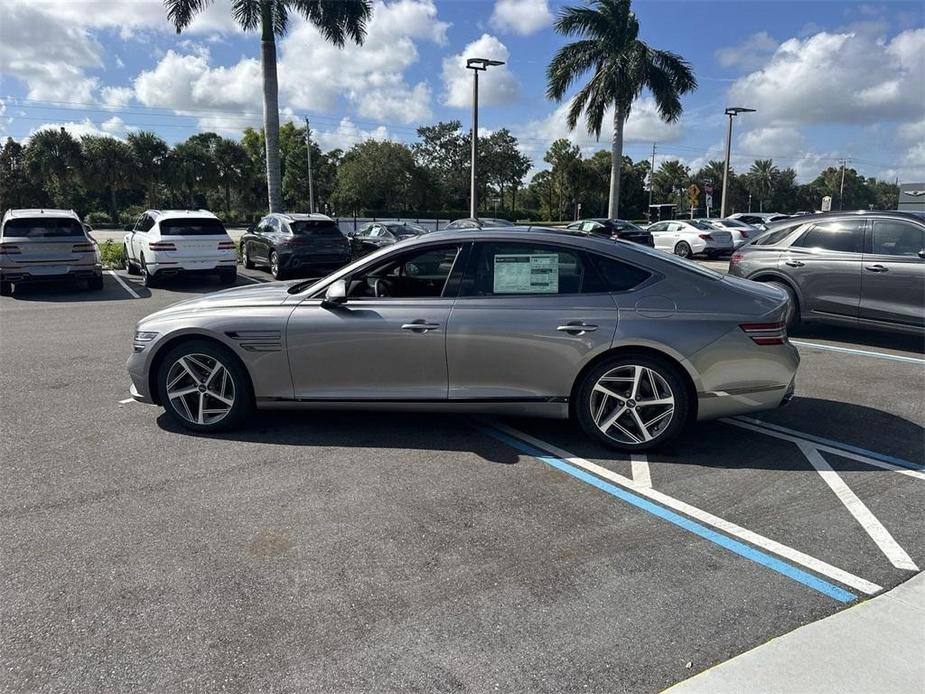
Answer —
(359, 552)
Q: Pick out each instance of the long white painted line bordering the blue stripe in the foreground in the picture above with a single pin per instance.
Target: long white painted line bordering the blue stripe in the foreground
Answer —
(767, 544)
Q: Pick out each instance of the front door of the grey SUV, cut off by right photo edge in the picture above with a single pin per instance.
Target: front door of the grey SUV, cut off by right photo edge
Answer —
(893, 275)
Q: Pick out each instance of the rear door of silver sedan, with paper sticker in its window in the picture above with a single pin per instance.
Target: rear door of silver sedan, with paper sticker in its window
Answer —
(525, 322)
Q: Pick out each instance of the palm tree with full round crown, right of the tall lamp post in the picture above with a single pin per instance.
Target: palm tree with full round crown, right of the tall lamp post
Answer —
(622, 67)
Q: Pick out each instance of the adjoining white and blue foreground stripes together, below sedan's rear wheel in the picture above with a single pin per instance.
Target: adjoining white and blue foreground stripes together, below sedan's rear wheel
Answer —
(567, 462)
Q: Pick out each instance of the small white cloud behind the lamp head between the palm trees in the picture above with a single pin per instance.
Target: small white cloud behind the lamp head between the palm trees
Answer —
(497, 85)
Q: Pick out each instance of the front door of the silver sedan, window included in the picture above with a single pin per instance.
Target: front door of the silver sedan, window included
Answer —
(388, 341)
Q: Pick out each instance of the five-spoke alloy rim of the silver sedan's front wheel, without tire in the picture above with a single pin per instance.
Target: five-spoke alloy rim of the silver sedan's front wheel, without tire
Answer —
(200, 388)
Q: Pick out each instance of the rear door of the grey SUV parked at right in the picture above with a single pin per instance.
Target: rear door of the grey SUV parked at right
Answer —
(824, 262)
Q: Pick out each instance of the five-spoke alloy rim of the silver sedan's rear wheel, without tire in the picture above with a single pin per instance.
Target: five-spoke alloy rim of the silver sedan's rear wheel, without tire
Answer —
(632, 404)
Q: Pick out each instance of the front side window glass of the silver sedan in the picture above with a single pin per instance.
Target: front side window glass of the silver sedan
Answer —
(418, 274)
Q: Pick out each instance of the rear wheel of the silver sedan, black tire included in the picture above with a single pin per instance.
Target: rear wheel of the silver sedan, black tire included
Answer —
(668, 383)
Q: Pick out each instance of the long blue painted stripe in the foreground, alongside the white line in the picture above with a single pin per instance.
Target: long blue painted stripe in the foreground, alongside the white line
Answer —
(734, 546)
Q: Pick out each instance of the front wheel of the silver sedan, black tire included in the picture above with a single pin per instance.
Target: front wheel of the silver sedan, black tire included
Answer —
(204, 387)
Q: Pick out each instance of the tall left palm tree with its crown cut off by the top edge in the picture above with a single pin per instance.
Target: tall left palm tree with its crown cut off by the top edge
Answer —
(337, 20)
